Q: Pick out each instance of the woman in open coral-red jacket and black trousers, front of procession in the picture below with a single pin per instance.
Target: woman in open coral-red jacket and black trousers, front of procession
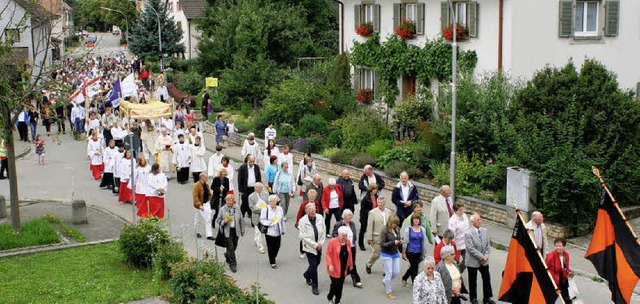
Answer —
(338, 260)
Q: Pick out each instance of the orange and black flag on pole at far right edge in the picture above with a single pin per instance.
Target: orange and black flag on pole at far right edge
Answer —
(614, 250)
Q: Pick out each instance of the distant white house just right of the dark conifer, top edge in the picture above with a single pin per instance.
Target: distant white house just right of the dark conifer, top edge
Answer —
(185, 12)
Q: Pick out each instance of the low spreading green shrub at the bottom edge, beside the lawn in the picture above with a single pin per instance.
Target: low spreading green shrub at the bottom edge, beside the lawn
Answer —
(206, 282)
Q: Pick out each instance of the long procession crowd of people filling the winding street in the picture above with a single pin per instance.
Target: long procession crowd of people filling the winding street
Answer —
(438, 243)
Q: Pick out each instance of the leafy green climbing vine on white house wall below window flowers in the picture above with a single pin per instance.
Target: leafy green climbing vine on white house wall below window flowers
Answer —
(395, 58)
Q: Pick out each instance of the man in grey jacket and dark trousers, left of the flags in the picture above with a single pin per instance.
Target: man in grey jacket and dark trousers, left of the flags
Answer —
(477, 259)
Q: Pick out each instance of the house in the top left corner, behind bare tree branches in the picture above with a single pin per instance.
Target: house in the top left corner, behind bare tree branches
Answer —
(28, 26)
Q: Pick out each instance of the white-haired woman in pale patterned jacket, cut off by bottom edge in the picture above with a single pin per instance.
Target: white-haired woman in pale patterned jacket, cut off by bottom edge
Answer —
(428, 287)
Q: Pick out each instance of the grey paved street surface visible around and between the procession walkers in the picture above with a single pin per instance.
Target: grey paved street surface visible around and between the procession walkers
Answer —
(66, 176)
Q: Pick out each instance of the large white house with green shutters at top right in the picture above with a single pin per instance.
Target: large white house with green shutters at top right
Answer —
(518, 37)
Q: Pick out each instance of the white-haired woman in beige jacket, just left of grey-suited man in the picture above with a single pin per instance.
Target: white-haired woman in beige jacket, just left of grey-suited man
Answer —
(451, 276)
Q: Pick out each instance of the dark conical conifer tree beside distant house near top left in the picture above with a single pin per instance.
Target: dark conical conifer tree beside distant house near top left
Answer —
(144, 38)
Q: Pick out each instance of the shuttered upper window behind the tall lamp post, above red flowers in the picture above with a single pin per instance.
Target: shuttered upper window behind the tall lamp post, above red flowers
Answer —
(466, 13)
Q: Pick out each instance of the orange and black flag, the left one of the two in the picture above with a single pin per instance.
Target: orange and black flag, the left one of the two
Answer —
(525, 278)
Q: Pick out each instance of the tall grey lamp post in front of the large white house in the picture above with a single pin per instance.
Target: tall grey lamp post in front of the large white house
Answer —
(454, 76)
